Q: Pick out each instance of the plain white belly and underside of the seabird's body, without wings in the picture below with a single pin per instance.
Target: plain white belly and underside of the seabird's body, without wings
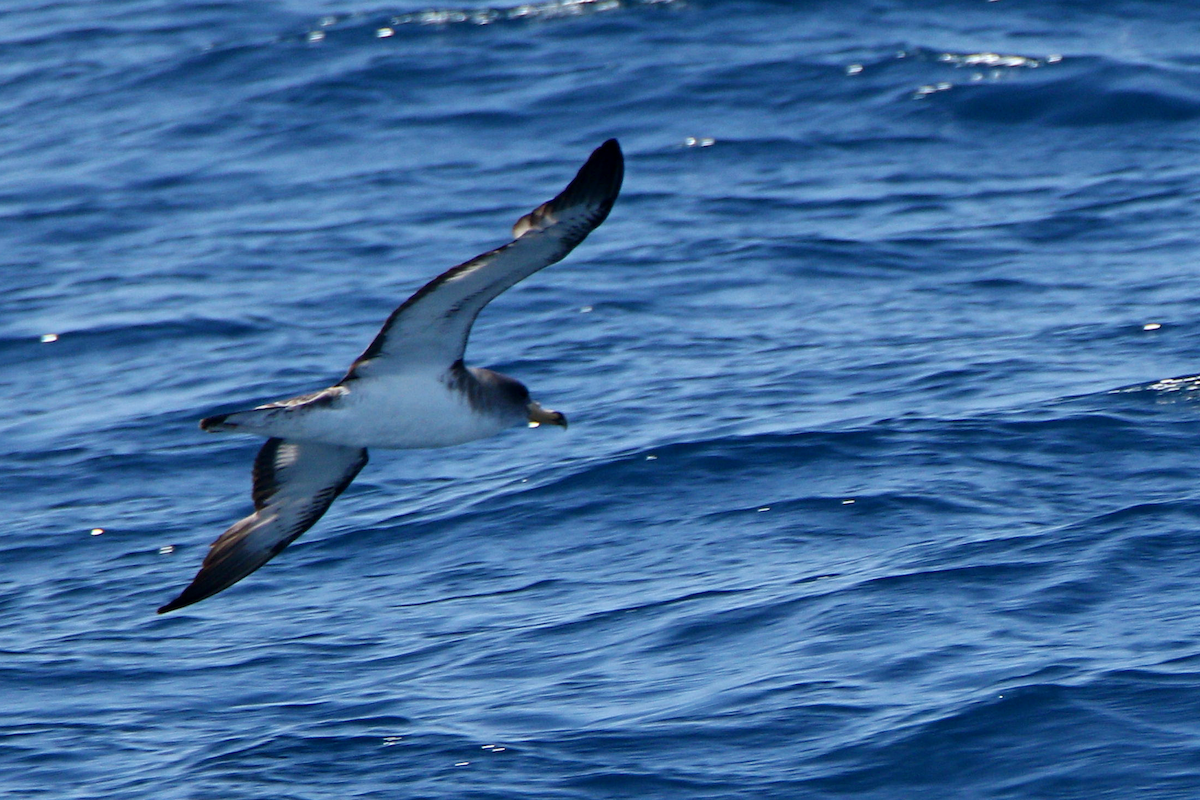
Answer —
(398, 412)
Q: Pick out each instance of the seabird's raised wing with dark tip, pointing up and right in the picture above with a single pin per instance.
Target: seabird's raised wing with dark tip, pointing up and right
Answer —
(431, 328)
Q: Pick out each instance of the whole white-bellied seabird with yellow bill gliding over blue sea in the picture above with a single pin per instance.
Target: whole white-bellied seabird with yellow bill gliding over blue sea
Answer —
(409, 389)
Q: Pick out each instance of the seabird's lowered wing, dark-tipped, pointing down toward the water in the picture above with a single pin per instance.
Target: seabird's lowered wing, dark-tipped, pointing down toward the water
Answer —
(295, 485)
